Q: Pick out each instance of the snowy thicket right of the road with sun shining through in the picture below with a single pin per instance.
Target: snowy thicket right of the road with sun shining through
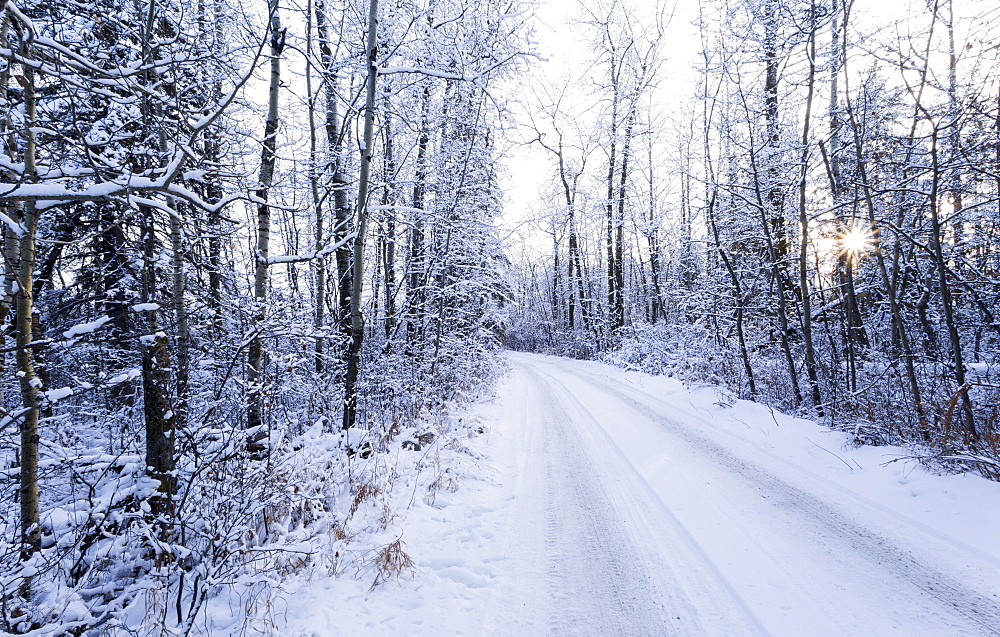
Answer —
(816, 229)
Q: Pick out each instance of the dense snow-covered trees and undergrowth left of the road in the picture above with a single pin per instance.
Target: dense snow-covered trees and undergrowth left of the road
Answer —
(182, 235)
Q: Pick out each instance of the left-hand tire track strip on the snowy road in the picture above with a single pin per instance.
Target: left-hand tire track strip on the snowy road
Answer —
(617, 594)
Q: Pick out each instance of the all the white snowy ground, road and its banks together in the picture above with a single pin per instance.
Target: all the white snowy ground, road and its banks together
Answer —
(608, 502)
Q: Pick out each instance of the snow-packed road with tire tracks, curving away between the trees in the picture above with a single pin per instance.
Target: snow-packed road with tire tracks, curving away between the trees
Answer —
(637, 516)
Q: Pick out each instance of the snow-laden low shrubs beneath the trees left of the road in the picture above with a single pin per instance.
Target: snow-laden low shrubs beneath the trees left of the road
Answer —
(252, 509)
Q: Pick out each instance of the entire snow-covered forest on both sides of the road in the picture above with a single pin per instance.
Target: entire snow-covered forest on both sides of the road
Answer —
(254, 260)
